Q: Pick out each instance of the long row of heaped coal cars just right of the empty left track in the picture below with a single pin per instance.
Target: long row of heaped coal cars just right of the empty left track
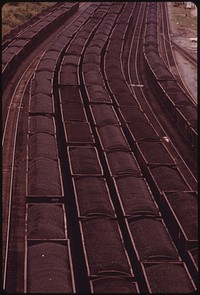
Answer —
(48, 264)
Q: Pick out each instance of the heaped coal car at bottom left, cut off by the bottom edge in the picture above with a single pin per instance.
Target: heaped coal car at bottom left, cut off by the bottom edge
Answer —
(49, 268)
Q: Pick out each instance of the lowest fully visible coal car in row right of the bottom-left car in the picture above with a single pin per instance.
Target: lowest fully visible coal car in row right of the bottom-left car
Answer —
(103, 247)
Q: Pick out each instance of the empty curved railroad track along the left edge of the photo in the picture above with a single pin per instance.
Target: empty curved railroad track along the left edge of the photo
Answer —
(12, 121)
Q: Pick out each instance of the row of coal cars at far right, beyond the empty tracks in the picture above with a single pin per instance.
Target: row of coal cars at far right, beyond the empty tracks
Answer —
(168, 86)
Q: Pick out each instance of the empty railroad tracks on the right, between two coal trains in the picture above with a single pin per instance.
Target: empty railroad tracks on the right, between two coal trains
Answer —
(139, 88)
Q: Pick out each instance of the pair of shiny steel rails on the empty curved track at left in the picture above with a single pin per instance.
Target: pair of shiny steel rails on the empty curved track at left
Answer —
(9, 140)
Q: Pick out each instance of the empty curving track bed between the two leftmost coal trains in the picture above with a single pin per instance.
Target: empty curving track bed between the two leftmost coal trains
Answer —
(13, 111)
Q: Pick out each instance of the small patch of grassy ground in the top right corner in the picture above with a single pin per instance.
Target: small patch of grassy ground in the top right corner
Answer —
(183, 17)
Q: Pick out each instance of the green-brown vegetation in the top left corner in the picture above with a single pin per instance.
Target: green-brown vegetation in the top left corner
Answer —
(16, 13)
